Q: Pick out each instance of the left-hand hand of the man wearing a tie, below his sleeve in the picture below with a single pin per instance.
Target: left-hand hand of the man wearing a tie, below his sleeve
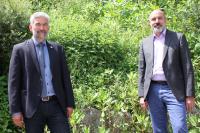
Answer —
(18, 120)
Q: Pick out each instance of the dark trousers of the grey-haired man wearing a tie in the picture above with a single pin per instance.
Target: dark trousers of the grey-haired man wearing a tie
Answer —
(50, 114)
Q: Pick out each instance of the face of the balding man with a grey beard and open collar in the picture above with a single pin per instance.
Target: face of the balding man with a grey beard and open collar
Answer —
(157, 21)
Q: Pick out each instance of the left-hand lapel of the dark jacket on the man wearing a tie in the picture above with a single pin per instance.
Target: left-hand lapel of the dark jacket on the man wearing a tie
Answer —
(32, 51)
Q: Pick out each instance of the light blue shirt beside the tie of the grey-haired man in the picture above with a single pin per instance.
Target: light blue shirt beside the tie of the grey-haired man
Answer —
(48, 74)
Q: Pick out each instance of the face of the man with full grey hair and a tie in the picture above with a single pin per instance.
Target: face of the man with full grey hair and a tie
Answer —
(39, 28)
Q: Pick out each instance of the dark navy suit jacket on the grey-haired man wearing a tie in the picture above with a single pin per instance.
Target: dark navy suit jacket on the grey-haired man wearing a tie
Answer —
(25, 80)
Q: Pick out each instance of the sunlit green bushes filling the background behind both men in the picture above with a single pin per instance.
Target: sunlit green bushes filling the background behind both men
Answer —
(101, 39)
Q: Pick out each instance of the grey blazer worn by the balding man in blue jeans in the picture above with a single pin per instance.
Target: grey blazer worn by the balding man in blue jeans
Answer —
(177, 65)
